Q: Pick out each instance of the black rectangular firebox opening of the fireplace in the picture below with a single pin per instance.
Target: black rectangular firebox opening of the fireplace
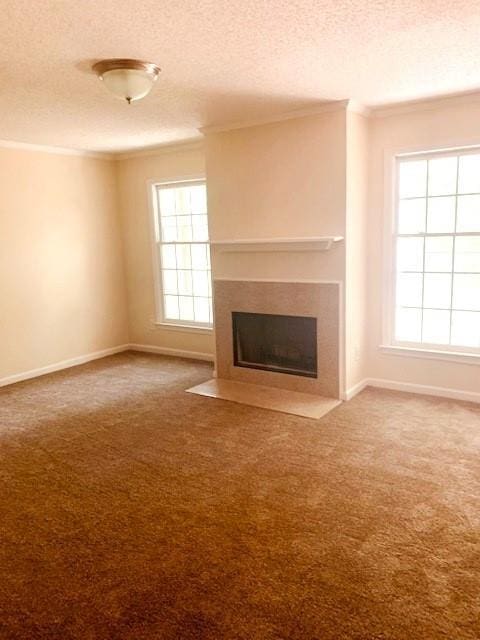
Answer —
(285, 344)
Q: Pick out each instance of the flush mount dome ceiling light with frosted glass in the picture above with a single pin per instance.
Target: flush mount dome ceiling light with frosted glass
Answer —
(129, 80)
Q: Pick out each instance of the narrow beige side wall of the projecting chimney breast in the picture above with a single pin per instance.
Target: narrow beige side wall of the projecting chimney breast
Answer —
(356, 286)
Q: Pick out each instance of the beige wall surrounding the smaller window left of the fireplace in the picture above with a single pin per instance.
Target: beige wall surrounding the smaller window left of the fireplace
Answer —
(133, 175)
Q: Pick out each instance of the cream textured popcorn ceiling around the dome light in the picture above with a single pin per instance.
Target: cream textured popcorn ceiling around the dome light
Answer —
(221, 61)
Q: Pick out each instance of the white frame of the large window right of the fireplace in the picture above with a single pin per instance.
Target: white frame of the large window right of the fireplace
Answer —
(460, 354)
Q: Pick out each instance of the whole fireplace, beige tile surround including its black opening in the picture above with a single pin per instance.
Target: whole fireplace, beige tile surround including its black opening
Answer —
(282, 334)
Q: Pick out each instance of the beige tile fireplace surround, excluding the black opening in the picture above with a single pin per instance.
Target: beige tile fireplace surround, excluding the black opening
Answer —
(320, 300)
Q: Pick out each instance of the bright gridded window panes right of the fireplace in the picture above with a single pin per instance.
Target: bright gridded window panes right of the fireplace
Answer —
(437, 251)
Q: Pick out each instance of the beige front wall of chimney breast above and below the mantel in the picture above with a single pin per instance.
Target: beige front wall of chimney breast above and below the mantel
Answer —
(284, 179)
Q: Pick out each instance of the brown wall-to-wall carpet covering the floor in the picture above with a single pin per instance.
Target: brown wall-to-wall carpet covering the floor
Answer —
(133, 510)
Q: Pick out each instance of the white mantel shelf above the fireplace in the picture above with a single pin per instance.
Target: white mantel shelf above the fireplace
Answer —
(323, 243)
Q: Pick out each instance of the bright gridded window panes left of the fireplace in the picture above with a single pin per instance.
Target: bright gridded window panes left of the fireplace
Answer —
(182, 253)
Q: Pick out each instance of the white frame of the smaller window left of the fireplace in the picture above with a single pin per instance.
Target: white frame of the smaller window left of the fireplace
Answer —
(160, 320)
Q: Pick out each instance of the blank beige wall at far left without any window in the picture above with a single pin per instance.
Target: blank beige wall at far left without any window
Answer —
(61, 270)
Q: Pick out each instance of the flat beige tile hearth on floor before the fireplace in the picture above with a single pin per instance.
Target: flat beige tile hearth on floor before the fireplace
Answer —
(295, 402)
